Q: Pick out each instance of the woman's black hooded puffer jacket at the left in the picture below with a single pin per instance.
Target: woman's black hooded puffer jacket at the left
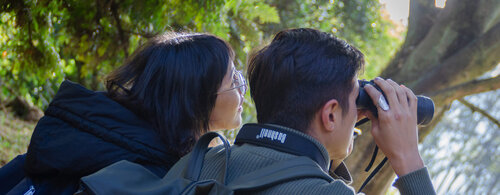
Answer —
(83, 131)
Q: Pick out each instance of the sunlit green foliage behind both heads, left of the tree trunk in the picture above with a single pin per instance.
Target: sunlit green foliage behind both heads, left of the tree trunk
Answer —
(43, 42)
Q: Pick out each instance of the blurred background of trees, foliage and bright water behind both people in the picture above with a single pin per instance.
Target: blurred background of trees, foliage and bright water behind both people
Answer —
(447, 50)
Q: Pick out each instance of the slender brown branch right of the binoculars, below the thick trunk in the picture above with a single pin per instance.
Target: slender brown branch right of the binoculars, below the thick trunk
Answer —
(447, 95)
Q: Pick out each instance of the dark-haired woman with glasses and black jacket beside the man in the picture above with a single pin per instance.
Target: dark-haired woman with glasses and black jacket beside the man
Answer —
(173, 89)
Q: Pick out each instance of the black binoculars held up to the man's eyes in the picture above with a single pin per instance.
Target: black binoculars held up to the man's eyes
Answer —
(425, 105)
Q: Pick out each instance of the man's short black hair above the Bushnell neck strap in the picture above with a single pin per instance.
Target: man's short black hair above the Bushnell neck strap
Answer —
(298, 72)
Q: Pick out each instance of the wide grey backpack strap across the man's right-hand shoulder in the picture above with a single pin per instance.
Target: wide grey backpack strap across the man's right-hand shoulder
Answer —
(301, 167)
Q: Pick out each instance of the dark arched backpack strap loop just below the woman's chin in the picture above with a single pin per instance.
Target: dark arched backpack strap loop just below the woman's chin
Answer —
(195, 163)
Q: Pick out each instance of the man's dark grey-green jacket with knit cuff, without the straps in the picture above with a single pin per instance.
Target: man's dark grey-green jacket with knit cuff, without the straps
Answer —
(247, 158)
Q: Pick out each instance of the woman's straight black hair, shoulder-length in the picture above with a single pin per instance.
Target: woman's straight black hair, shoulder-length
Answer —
(172, 81)
